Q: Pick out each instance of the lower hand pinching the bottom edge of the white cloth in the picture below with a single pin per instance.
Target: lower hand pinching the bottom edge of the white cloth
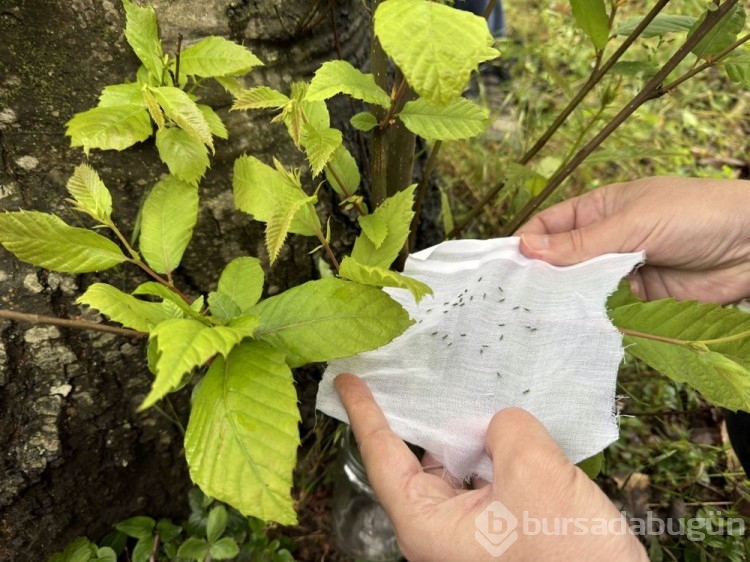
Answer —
(435, 520)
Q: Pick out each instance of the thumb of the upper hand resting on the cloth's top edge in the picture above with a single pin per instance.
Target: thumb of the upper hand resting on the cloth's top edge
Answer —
(572, 246)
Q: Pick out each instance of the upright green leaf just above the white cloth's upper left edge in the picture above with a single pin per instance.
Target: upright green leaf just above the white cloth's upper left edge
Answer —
(396, 213)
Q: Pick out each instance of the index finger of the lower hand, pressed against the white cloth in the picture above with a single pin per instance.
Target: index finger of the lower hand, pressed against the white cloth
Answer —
(389, 463)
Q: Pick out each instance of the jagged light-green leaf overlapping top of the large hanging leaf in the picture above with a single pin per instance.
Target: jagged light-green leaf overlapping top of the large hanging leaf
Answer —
(183, 344)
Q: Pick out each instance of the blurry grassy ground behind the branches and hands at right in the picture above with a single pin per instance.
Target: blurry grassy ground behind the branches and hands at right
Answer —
(673, 458)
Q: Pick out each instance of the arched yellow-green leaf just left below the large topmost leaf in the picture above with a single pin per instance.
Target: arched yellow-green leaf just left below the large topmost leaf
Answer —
(340, 77)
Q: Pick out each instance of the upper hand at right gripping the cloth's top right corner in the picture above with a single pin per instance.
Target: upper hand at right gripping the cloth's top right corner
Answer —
(696, 234)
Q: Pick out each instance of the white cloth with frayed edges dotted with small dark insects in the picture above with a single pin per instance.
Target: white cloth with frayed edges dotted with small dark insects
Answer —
(500, 330)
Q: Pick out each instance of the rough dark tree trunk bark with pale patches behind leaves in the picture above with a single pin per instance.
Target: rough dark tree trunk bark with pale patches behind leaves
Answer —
(75, 457)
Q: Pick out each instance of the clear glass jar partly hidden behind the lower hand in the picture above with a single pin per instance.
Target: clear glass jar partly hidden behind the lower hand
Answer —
(360, 525)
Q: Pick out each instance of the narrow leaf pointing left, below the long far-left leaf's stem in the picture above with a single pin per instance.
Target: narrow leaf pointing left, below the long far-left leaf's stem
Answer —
(123, 308)
